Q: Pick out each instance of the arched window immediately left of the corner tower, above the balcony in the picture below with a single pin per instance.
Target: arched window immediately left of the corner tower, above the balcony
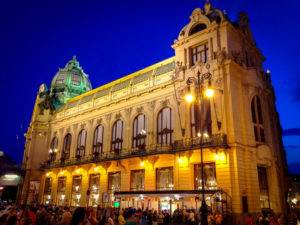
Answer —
(165, 126)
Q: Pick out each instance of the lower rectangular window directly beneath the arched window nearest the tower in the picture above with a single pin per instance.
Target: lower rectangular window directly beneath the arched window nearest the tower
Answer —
(164, 178)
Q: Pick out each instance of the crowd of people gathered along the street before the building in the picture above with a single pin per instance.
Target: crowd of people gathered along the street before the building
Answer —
(45, 215)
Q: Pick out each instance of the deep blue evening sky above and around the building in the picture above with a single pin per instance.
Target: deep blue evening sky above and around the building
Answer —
(114, 38)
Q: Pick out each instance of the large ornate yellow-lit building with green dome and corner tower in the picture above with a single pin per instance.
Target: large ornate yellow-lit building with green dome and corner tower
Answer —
(137, 142)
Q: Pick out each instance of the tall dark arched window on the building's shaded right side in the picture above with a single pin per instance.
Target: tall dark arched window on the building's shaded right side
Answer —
(257, 119)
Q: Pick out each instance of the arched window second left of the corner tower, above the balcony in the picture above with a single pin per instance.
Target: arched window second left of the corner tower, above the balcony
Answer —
(139, 132)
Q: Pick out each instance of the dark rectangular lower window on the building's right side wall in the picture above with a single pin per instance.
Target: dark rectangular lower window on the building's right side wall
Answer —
(263, 187)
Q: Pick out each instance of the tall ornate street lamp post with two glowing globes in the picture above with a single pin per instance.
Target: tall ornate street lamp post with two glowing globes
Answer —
(209, 92)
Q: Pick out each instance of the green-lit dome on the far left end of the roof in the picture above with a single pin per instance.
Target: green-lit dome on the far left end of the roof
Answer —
(69, 82)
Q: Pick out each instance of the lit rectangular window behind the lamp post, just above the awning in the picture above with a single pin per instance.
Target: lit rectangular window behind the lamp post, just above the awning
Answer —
(209, 172)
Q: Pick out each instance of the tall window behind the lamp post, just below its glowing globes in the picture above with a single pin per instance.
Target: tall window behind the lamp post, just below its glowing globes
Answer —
(201, 118)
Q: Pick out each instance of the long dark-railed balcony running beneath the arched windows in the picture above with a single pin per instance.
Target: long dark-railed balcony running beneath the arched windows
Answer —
(216, 140)
